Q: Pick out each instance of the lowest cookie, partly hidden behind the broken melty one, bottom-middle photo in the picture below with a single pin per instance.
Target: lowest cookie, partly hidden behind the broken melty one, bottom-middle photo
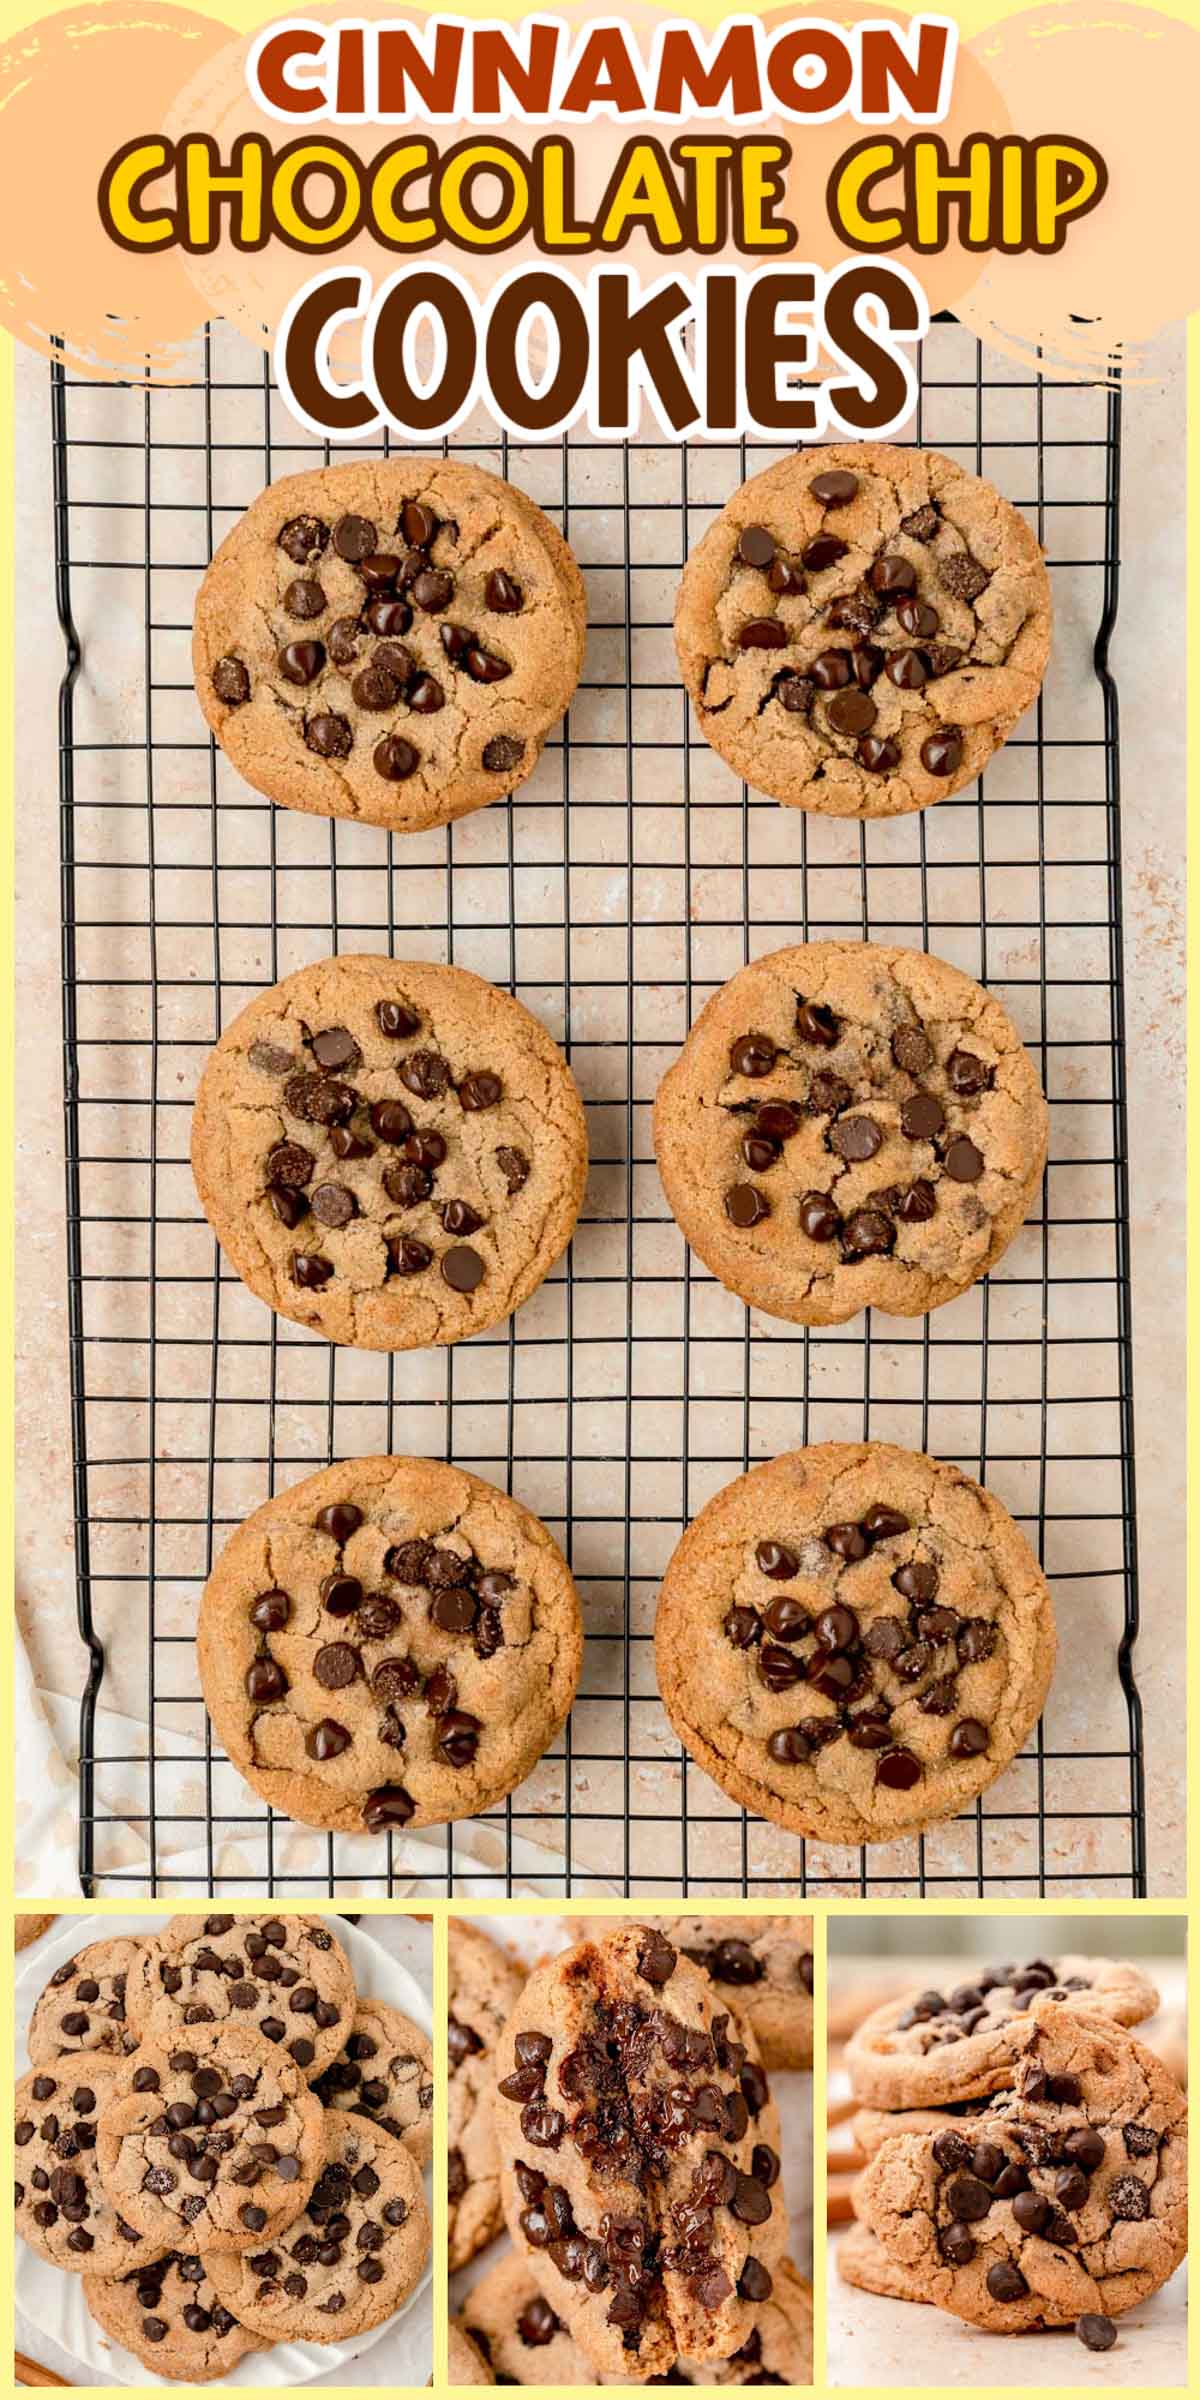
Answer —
(527, 2344)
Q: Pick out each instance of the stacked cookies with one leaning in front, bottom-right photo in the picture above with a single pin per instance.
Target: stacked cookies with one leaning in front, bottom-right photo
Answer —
(1026, 2152)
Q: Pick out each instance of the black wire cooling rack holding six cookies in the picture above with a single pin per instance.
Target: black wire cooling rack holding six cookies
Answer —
(623, 884)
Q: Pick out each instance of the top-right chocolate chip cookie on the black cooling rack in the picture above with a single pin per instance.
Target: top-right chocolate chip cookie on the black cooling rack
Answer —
(863, 628)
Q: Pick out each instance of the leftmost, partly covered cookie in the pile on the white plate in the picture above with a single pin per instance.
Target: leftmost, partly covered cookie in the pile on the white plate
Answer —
(64, 2209)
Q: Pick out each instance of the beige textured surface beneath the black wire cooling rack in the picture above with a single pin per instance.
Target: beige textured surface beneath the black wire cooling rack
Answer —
(683, 863)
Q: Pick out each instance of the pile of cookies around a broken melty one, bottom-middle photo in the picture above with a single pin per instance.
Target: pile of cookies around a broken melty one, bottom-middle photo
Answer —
(616, 2116)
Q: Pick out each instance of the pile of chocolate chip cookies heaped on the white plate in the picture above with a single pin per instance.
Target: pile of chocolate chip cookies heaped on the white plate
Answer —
(224, 2140)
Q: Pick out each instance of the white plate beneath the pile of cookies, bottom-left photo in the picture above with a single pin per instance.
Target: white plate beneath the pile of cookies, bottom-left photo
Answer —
(56, 2303)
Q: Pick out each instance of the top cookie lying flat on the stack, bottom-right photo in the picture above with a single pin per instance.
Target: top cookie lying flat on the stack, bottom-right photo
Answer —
(935, 2048)
